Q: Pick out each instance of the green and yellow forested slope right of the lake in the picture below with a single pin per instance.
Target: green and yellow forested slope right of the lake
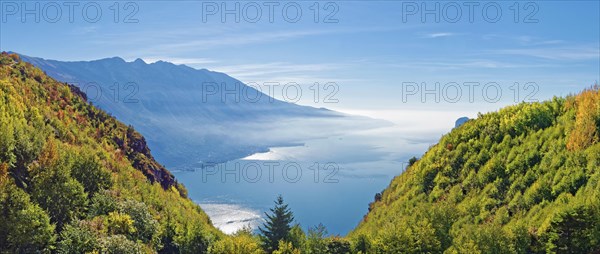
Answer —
(523, 179)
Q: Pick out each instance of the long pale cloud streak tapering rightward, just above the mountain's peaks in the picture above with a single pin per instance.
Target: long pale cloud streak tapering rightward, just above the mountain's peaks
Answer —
(193, 39)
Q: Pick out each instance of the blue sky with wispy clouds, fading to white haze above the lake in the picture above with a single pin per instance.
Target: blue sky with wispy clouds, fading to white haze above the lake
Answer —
(376, 58)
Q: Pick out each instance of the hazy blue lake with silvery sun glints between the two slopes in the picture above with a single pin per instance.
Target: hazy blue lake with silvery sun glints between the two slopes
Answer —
(328, 180)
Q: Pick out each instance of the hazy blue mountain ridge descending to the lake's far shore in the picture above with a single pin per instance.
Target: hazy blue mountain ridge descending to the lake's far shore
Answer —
(187, 122)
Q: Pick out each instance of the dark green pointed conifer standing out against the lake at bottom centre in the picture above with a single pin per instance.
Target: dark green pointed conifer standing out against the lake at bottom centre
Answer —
(277, 227)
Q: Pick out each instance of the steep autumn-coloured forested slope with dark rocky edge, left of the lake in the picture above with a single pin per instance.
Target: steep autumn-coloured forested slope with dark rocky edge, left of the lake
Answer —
(73, 179)
